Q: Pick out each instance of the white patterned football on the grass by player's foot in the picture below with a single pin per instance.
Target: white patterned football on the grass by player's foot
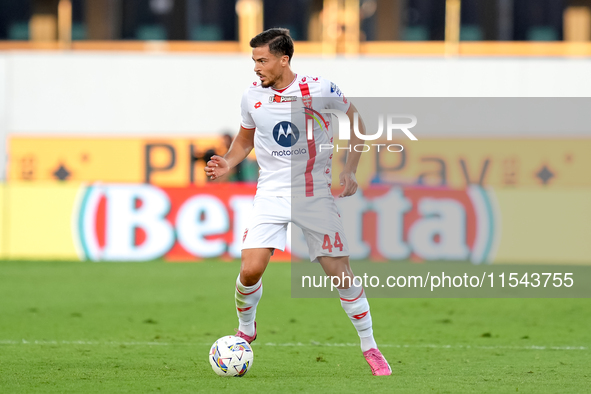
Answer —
(231, 356)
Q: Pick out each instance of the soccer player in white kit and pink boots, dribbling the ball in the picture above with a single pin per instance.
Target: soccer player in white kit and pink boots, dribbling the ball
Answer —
(295, 181)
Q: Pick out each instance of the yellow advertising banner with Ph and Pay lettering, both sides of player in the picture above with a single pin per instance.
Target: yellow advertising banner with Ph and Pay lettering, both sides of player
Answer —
(456, 163)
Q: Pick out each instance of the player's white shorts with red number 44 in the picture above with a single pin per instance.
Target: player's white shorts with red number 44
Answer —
(318, 217)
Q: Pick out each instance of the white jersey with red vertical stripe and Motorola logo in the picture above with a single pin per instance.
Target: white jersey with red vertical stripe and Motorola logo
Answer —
(290, 163)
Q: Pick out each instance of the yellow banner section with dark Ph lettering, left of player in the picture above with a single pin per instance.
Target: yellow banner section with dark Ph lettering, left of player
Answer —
(160, 161)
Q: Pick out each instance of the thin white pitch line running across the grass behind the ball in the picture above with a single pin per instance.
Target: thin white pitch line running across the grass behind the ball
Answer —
(290, 344)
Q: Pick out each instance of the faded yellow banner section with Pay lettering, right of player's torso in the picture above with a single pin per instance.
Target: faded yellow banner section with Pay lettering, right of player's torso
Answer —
(457, 163)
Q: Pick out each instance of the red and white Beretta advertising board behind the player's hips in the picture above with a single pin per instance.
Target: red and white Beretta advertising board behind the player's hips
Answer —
(141, 222)
